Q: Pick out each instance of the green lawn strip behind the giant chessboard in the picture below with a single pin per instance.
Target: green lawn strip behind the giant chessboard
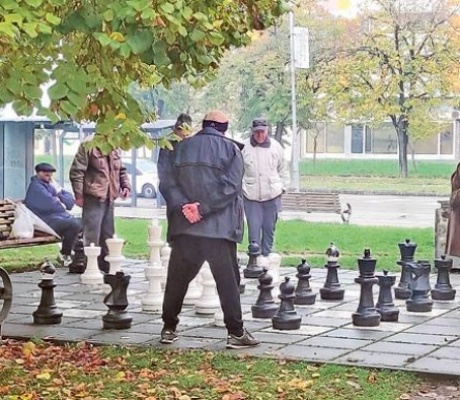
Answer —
(294, 239)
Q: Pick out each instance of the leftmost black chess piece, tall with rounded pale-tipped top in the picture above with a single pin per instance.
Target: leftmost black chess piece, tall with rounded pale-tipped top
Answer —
(47, 312)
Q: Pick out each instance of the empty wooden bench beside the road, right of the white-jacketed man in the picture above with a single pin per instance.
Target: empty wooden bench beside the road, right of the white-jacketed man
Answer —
(326, 202)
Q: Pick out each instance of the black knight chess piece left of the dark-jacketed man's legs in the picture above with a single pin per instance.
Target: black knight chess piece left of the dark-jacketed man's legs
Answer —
(117, 302)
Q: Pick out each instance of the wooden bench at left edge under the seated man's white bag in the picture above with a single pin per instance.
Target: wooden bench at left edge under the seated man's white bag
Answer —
(6, 222)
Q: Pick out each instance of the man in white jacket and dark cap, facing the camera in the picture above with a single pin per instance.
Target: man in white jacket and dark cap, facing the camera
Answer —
(266, 177)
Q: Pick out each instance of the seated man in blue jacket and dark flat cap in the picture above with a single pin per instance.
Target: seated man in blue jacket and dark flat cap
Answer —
(46, 199)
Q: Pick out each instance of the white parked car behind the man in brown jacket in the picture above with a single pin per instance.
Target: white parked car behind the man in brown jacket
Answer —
(146, 176)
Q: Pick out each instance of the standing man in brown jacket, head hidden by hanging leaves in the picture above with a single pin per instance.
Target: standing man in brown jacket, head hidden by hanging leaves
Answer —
(97, 180)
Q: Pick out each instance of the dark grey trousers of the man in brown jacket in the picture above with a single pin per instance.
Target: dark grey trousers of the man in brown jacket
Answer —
(98, 226)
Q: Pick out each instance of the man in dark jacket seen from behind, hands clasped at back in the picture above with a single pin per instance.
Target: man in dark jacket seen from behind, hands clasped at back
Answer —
(202, 188)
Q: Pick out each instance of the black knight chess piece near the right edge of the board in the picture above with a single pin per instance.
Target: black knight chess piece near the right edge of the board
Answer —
(420, 300)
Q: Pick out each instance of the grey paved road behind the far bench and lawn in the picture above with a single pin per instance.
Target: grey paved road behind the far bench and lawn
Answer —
(403, 211)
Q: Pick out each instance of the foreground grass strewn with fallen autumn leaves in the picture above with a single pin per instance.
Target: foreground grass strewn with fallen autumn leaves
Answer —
(45, 371)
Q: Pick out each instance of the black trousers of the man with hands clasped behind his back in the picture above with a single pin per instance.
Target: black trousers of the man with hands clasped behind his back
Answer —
(187, 256)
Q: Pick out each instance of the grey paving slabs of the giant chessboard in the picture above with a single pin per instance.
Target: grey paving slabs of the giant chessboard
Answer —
(423, 342)
